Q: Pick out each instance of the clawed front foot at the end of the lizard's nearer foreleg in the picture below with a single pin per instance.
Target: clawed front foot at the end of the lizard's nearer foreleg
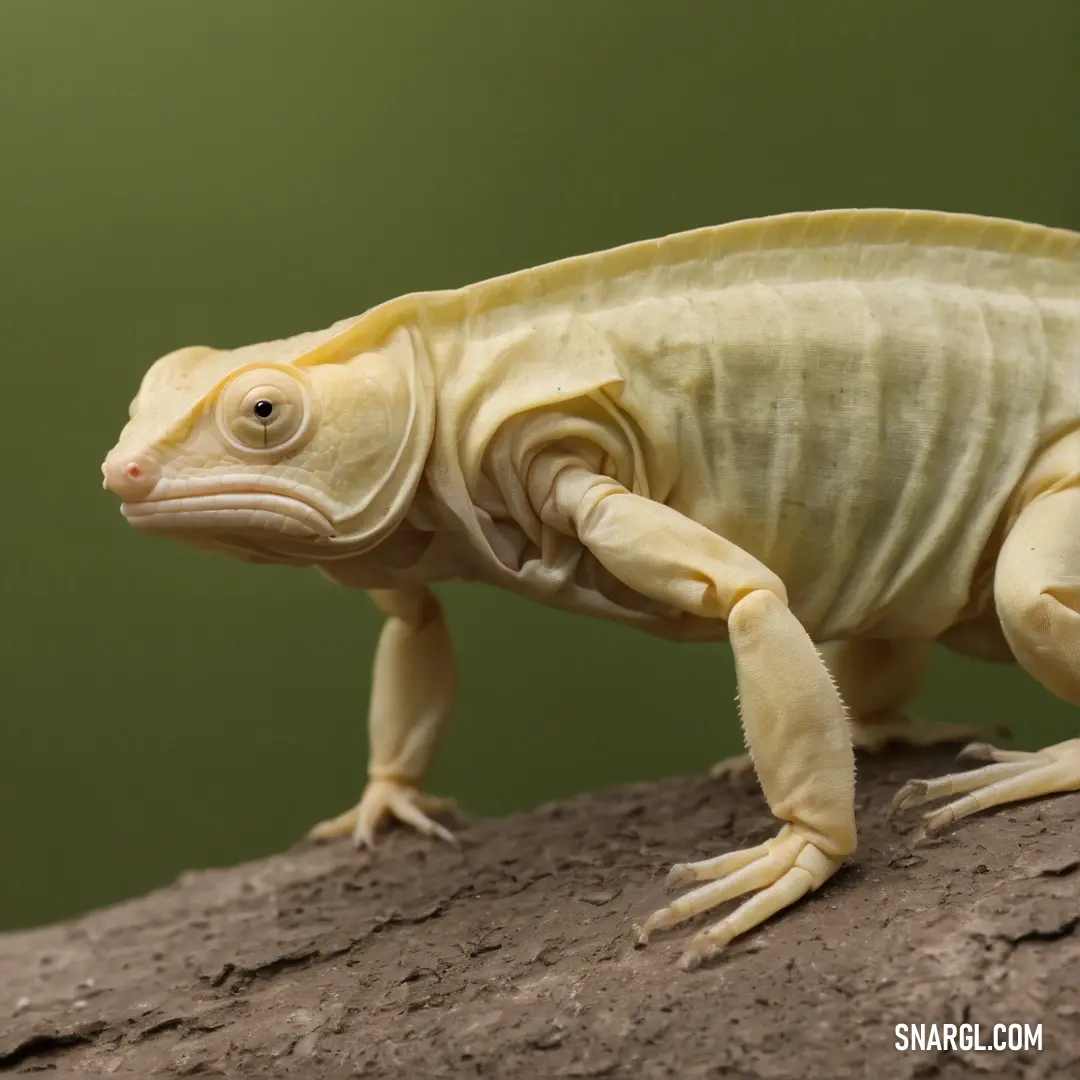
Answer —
(784, 869)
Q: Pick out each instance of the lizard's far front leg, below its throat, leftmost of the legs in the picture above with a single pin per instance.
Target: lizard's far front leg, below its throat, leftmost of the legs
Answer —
(413, 693)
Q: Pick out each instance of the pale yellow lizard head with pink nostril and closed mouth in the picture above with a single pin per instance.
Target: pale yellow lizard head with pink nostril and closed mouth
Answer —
(298, 451)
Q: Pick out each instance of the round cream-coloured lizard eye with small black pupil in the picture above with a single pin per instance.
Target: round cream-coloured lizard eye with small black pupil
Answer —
(265, 410)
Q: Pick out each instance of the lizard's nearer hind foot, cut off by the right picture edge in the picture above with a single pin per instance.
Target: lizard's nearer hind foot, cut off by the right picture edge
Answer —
(1015, 775)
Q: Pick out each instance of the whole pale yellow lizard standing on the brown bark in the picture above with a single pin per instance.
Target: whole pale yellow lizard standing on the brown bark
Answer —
(831, 439)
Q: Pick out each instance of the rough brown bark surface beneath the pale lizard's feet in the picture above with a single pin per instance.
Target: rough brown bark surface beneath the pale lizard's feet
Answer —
(512, 957)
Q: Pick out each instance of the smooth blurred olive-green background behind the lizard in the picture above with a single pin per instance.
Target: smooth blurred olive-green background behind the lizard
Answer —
(234, 172)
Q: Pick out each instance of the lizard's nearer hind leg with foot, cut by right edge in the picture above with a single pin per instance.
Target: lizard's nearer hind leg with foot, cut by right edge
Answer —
(1037, 595)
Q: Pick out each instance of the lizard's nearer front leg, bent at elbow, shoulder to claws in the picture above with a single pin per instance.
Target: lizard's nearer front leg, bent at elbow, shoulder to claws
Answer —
(794, 721)
